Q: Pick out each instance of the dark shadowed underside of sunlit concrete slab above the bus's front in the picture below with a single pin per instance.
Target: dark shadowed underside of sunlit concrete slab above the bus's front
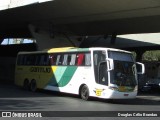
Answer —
(121, 43)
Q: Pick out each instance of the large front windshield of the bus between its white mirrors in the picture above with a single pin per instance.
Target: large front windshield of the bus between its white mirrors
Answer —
(124, 69)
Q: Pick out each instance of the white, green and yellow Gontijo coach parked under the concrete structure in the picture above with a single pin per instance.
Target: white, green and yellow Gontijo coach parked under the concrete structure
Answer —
(89, 72)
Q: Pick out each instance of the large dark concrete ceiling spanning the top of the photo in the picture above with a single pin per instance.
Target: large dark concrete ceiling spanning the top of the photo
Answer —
(83, 17)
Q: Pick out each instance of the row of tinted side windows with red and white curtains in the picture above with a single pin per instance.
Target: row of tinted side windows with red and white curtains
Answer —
(66, 59)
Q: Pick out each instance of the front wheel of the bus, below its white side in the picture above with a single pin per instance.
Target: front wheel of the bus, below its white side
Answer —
(84, 92)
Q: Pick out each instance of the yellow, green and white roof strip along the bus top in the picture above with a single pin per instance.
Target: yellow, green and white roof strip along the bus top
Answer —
(70, 49)
